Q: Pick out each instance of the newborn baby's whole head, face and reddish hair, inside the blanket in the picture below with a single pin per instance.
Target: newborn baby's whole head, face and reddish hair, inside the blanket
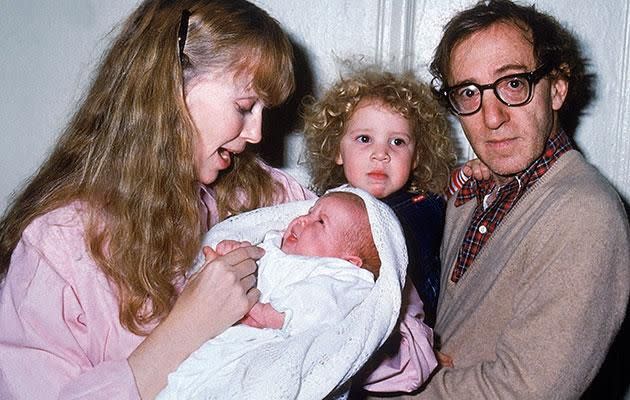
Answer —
(336, 226)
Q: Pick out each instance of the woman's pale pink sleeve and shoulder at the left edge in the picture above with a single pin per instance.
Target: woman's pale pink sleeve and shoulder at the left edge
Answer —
(60, 335)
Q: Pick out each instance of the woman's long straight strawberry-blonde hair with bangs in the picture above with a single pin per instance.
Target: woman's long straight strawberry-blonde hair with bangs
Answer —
(128, 151)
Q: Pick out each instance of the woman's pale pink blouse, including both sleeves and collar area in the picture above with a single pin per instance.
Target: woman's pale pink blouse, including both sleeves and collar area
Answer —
(60, 335)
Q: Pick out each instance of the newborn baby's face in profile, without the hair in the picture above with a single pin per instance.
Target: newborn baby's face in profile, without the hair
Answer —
(321, 231)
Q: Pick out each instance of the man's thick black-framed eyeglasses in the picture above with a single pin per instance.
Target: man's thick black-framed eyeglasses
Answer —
(512, 90)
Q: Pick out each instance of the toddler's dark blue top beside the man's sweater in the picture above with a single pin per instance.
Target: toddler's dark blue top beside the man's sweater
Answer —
(422, 220)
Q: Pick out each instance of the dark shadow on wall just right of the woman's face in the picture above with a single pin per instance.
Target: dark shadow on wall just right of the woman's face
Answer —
(285, 119)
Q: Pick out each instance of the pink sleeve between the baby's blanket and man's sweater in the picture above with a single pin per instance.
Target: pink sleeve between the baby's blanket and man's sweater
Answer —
(407, 359)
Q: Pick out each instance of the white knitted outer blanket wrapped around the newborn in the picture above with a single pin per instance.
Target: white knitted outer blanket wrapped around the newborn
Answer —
(317, 362)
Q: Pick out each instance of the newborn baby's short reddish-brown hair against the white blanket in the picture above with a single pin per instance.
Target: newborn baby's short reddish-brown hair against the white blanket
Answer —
(358, 235)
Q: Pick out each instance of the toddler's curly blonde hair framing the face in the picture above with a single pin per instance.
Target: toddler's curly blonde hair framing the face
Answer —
(326, 119)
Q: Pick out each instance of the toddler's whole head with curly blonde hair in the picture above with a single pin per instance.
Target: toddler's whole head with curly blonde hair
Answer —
(380, 132)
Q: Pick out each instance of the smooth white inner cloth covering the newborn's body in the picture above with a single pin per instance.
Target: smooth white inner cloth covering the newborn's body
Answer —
(310, 291)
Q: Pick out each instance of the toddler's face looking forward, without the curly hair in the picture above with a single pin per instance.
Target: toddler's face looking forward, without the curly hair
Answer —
(377, 150)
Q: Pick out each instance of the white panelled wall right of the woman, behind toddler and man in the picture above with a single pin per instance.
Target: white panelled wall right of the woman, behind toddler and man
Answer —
(403, 33)
